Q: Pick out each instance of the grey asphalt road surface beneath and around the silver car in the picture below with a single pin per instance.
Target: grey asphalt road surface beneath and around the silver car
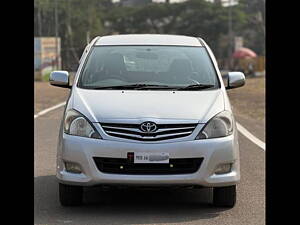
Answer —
(144, 206)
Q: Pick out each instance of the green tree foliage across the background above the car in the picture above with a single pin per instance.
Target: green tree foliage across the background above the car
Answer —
(80, 19)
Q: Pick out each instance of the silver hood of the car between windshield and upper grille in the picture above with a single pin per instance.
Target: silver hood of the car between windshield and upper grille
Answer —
(109, 105)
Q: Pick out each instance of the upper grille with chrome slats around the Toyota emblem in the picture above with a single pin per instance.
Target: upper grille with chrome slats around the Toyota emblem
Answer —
(163, 131)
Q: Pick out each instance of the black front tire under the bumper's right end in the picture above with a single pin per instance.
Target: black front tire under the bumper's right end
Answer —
(224, 196)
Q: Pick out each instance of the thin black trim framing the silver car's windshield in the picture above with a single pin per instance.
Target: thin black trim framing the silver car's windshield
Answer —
(78, 84)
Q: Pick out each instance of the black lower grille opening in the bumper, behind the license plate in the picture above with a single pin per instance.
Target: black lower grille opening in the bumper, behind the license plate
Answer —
(123, 166)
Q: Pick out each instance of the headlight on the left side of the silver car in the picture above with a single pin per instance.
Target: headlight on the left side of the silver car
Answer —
(76, 124)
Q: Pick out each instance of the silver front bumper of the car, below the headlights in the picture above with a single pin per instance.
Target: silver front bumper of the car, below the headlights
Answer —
(214, 151)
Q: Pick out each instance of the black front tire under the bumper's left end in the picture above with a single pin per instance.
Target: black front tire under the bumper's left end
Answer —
(70, 195)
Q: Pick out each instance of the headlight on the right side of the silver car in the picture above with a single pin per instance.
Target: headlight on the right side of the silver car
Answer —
(219, 126)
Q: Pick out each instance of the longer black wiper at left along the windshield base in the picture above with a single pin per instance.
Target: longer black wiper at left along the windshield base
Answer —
(131, 86)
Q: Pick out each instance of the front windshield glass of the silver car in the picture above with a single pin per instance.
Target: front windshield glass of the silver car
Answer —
(141, 67)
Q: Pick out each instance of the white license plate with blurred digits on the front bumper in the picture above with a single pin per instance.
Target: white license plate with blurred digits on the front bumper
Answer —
(145, 157)
